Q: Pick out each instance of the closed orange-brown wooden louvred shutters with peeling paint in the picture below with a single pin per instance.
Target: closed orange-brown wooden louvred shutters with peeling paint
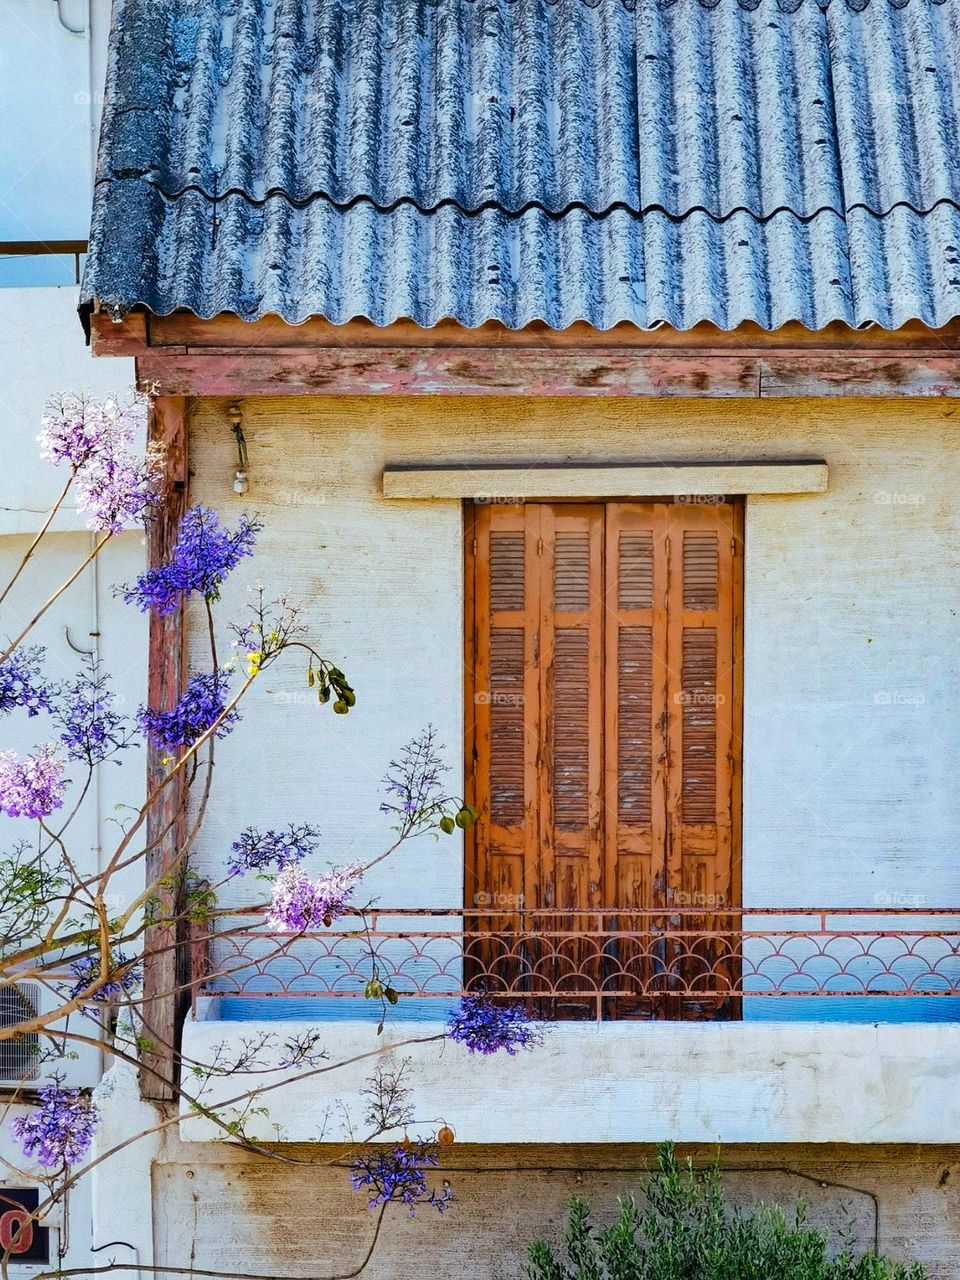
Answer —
(605, 742)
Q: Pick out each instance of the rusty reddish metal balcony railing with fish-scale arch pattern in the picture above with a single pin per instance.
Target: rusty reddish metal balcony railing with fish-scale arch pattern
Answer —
(689, 964)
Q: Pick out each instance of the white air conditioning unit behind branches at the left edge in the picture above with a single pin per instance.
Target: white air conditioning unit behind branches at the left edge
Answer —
(33, 1060)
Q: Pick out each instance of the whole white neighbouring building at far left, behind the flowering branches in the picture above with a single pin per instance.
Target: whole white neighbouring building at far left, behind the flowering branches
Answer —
(51, 99)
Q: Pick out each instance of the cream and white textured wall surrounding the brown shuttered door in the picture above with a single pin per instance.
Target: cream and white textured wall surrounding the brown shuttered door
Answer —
(852, 647)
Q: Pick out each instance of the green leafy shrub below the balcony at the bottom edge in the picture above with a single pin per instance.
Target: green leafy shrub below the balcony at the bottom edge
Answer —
(685, 1231)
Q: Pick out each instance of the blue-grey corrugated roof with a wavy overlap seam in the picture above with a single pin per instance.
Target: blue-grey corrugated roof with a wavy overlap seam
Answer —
(518, 161)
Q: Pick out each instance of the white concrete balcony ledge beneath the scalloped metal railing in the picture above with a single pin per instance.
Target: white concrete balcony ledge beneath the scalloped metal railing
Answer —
(764, 1082)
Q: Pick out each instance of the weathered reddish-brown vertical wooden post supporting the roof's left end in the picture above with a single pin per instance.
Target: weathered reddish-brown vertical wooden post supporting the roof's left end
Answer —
(163, 964)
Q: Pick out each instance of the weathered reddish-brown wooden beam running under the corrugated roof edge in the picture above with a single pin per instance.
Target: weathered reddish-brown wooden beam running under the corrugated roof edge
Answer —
(182, 355)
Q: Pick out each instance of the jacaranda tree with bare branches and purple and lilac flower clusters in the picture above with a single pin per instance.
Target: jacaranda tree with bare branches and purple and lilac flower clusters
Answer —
(56, 926)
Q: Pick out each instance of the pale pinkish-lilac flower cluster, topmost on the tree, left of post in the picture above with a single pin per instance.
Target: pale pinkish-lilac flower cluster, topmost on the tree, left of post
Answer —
(115, 483)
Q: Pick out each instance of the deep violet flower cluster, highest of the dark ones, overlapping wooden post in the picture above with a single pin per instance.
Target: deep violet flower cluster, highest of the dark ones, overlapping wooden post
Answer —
(204, 556)
